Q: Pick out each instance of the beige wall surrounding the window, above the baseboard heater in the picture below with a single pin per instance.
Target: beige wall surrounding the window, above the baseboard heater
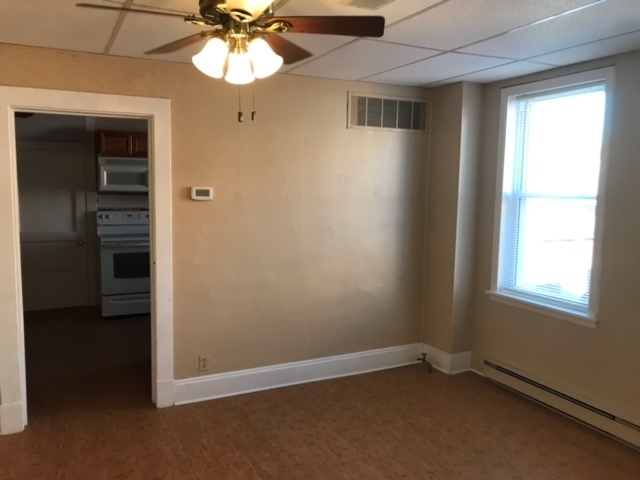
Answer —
(601, 365)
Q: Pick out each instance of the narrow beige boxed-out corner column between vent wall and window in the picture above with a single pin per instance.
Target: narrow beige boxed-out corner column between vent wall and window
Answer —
(451, 210)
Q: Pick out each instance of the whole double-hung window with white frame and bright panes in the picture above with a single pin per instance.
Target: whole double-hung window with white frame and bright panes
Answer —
(550, 212)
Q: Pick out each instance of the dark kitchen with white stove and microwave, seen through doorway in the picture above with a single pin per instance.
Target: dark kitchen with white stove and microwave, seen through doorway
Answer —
(83, 193)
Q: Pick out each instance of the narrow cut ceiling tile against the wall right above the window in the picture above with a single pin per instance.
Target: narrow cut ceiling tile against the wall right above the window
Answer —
(589, 51)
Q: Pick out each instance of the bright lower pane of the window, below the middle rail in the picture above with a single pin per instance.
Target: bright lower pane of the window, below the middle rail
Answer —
(554, 248)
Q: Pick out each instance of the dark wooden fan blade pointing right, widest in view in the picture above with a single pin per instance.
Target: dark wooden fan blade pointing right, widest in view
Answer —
(354, 26)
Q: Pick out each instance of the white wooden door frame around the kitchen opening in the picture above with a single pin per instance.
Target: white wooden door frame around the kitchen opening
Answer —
(13, 400)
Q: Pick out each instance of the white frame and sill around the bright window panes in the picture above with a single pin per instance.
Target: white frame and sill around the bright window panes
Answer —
(508, 98)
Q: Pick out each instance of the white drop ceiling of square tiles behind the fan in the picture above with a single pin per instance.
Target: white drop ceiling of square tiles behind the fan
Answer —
(426, 42)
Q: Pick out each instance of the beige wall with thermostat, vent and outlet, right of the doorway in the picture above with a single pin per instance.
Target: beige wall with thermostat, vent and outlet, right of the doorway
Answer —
(313, 245)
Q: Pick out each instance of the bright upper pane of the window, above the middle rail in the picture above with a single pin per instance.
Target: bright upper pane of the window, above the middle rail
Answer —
(560, 144)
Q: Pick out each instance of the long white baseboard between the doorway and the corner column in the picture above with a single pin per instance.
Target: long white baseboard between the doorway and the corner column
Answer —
(221, 385)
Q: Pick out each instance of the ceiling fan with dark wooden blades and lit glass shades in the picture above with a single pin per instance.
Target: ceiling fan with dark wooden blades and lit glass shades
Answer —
(243, 43)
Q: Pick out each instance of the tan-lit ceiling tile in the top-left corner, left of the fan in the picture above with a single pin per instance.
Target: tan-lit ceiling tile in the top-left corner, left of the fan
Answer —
(43, 23)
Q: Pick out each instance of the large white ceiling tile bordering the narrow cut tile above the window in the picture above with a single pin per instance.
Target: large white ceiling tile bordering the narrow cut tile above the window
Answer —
(594, 23)
